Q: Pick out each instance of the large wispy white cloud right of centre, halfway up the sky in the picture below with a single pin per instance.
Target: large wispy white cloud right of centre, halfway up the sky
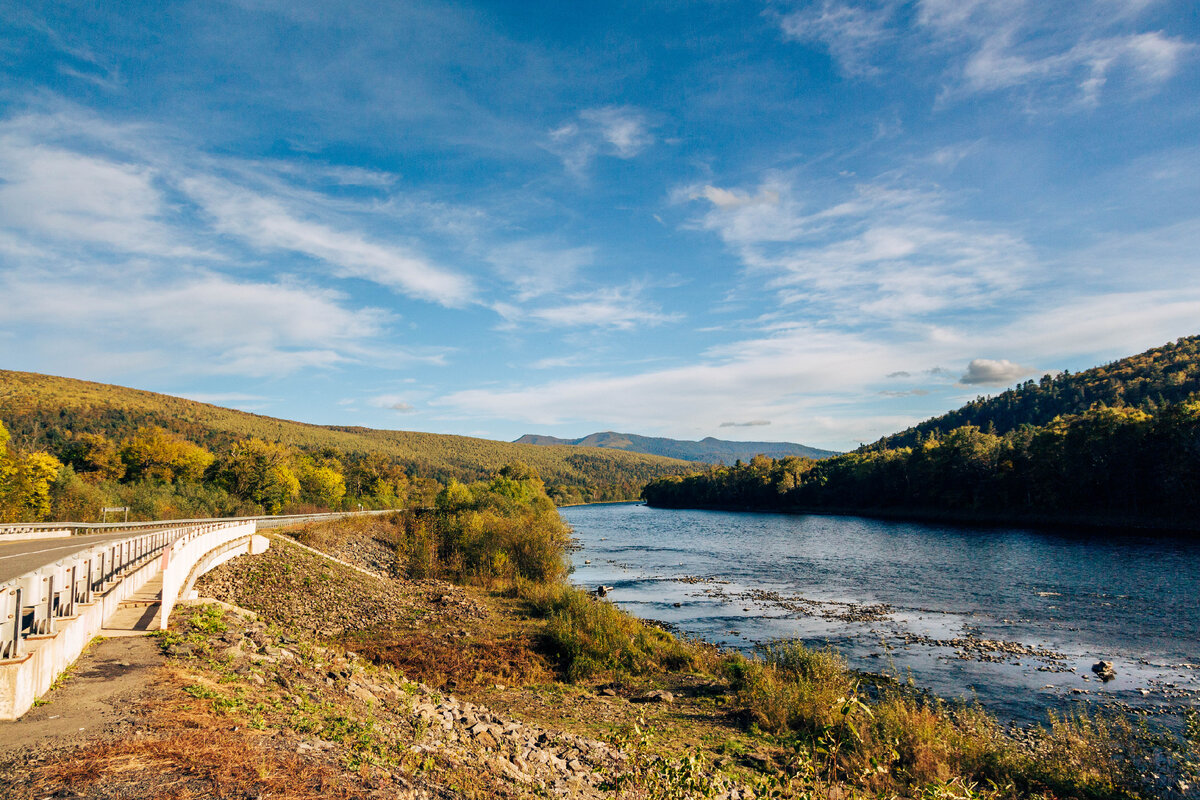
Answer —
(886, 251)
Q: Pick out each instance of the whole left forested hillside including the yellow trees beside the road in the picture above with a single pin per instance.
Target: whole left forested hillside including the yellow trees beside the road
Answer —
(110, 446)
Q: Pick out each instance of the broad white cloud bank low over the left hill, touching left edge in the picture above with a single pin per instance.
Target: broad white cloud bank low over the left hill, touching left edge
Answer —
(200, 323)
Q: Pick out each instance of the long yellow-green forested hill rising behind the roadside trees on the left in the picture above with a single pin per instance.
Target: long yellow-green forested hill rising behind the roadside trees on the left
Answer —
(80, 422)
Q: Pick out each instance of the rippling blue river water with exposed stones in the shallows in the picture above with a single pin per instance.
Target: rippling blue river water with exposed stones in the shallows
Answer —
(1011, 617)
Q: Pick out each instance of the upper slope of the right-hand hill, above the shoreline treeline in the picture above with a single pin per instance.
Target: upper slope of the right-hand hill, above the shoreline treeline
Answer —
(1160, 377)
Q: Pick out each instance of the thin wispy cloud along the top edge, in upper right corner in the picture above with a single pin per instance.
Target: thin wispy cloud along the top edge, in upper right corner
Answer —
(1067, 51)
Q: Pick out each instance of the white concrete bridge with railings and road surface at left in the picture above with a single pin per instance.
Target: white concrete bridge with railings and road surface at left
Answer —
(63, 585)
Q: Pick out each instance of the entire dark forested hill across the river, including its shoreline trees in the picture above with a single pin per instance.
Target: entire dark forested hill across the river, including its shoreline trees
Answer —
(1131, 456)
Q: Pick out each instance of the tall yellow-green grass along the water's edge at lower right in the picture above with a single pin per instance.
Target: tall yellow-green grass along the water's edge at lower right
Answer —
(890, 739)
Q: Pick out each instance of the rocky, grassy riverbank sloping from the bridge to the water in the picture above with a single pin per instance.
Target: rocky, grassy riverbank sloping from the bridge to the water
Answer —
(339, 684)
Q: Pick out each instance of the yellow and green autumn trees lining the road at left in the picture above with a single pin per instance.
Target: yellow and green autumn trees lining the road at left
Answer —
(161, 476)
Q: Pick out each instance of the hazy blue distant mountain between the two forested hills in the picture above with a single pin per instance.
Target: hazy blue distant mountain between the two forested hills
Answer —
(710, 450)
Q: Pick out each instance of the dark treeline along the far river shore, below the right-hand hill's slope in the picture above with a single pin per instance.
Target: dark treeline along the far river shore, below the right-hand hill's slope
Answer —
(1124, 465)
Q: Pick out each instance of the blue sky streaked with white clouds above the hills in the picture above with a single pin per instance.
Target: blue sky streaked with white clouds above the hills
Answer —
(814, 222)
